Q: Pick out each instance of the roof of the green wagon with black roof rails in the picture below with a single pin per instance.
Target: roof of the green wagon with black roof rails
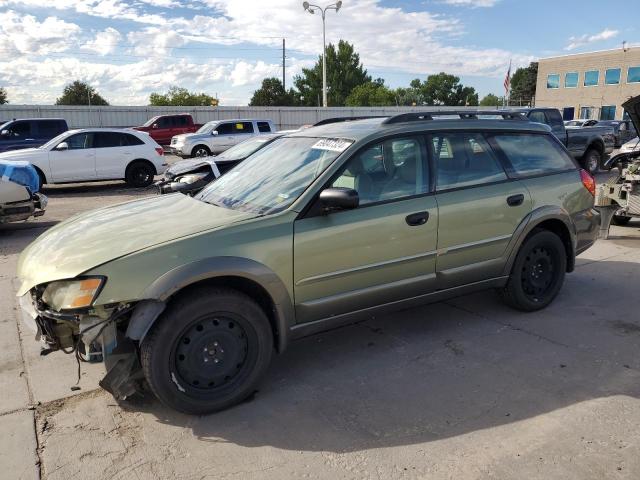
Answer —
(371, 127)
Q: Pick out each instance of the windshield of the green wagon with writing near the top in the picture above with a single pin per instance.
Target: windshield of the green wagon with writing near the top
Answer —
(274, 177)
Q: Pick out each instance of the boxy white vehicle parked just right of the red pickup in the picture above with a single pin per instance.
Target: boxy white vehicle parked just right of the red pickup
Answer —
(217, 136)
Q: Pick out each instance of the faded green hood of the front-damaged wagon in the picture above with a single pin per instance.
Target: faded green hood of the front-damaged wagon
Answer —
(90, 239)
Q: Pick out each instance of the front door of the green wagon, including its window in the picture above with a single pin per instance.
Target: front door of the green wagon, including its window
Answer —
(380, 252)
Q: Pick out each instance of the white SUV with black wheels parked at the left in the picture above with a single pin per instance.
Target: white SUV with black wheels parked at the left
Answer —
(96, 154)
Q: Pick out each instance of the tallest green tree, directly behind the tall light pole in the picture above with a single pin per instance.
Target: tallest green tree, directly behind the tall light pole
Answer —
(344, 73)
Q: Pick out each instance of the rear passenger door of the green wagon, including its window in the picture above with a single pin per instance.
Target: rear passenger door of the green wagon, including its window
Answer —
(479, 208)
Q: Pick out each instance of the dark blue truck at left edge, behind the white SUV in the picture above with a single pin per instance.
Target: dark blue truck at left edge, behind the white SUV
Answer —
(22, 133)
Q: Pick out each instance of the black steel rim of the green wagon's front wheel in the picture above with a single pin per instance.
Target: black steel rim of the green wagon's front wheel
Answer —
(211, 353)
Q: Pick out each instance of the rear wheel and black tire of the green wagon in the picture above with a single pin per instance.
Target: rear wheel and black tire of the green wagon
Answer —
(538, 272)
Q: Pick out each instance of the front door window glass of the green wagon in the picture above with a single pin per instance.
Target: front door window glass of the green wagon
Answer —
(390, 170)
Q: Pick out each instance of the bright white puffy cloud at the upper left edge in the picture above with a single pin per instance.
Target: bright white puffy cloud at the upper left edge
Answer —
(25, 34)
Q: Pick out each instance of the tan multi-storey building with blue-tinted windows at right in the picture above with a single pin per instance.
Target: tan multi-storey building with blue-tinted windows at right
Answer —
(589, 85)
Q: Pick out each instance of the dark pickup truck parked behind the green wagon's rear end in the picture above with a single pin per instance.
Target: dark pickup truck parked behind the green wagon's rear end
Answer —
(589, 145)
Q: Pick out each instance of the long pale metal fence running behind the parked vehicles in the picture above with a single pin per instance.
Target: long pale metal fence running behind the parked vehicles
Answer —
(125, 116)
